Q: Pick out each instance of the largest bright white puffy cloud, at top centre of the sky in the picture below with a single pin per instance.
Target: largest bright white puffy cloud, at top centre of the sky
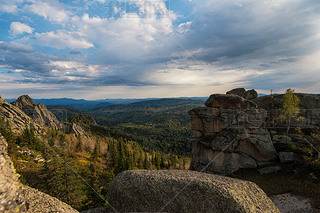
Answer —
(132, 36)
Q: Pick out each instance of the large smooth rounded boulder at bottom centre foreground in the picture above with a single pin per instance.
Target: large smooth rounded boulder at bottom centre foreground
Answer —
(185, 191)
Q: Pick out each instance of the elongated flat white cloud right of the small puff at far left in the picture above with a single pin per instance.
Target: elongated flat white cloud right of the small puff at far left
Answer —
(62, 40)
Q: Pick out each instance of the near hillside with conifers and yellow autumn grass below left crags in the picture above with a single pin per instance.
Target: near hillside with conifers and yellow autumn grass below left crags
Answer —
(78, 169)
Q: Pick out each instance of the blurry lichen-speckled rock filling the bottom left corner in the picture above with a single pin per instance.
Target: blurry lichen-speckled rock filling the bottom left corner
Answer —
(14, 197)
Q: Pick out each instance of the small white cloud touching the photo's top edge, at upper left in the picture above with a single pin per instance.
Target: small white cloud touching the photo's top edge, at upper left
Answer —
(49, 9)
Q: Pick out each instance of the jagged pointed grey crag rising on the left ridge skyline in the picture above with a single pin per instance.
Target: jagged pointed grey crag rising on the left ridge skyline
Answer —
(37, 112)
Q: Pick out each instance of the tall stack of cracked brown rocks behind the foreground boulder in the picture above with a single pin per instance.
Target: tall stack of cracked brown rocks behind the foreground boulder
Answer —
(228, 134)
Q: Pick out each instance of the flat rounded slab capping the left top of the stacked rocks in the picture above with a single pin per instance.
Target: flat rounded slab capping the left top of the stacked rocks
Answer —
(229, 101)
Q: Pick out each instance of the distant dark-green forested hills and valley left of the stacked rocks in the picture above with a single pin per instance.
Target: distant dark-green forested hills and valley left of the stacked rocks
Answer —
(162, 125)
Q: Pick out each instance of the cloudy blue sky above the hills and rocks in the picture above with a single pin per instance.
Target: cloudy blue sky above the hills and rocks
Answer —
(96, 49)
